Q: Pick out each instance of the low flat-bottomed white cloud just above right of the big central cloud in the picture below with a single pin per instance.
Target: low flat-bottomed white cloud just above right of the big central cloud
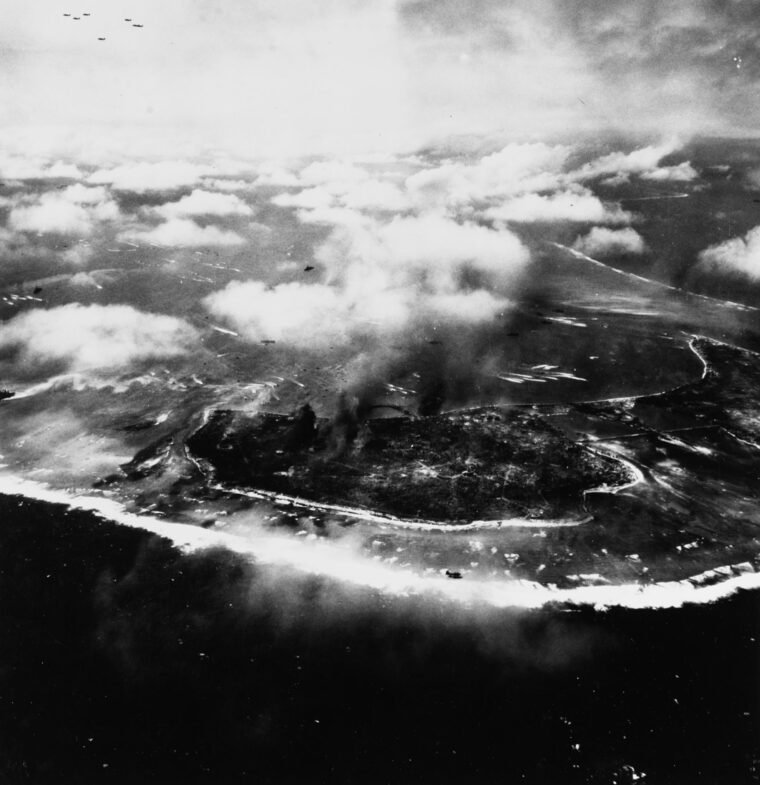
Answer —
(580, 207)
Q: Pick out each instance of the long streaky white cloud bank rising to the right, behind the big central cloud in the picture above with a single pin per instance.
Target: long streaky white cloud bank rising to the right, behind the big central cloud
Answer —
(520, 182)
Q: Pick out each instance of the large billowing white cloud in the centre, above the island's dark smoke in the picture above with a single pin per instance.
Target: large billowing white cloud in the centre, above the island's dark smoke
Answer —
(381, 278)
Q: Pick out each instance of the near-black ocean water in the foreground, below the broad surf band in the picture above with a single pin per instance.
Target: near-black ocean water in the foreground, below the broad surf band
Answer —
(123, 660)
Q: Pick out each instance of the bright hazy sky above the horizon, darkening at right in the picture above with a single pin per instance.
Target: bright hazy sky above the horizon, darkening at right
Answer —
(291, 77)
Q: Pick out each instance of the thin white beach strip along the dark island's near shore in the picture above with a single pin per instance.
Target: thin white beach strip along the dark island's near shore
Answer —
(371, 516)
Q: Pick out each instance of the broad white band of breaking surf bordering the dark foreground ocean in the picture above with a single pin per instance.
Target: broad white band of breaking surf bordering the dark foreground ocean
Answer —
(338, 562)
